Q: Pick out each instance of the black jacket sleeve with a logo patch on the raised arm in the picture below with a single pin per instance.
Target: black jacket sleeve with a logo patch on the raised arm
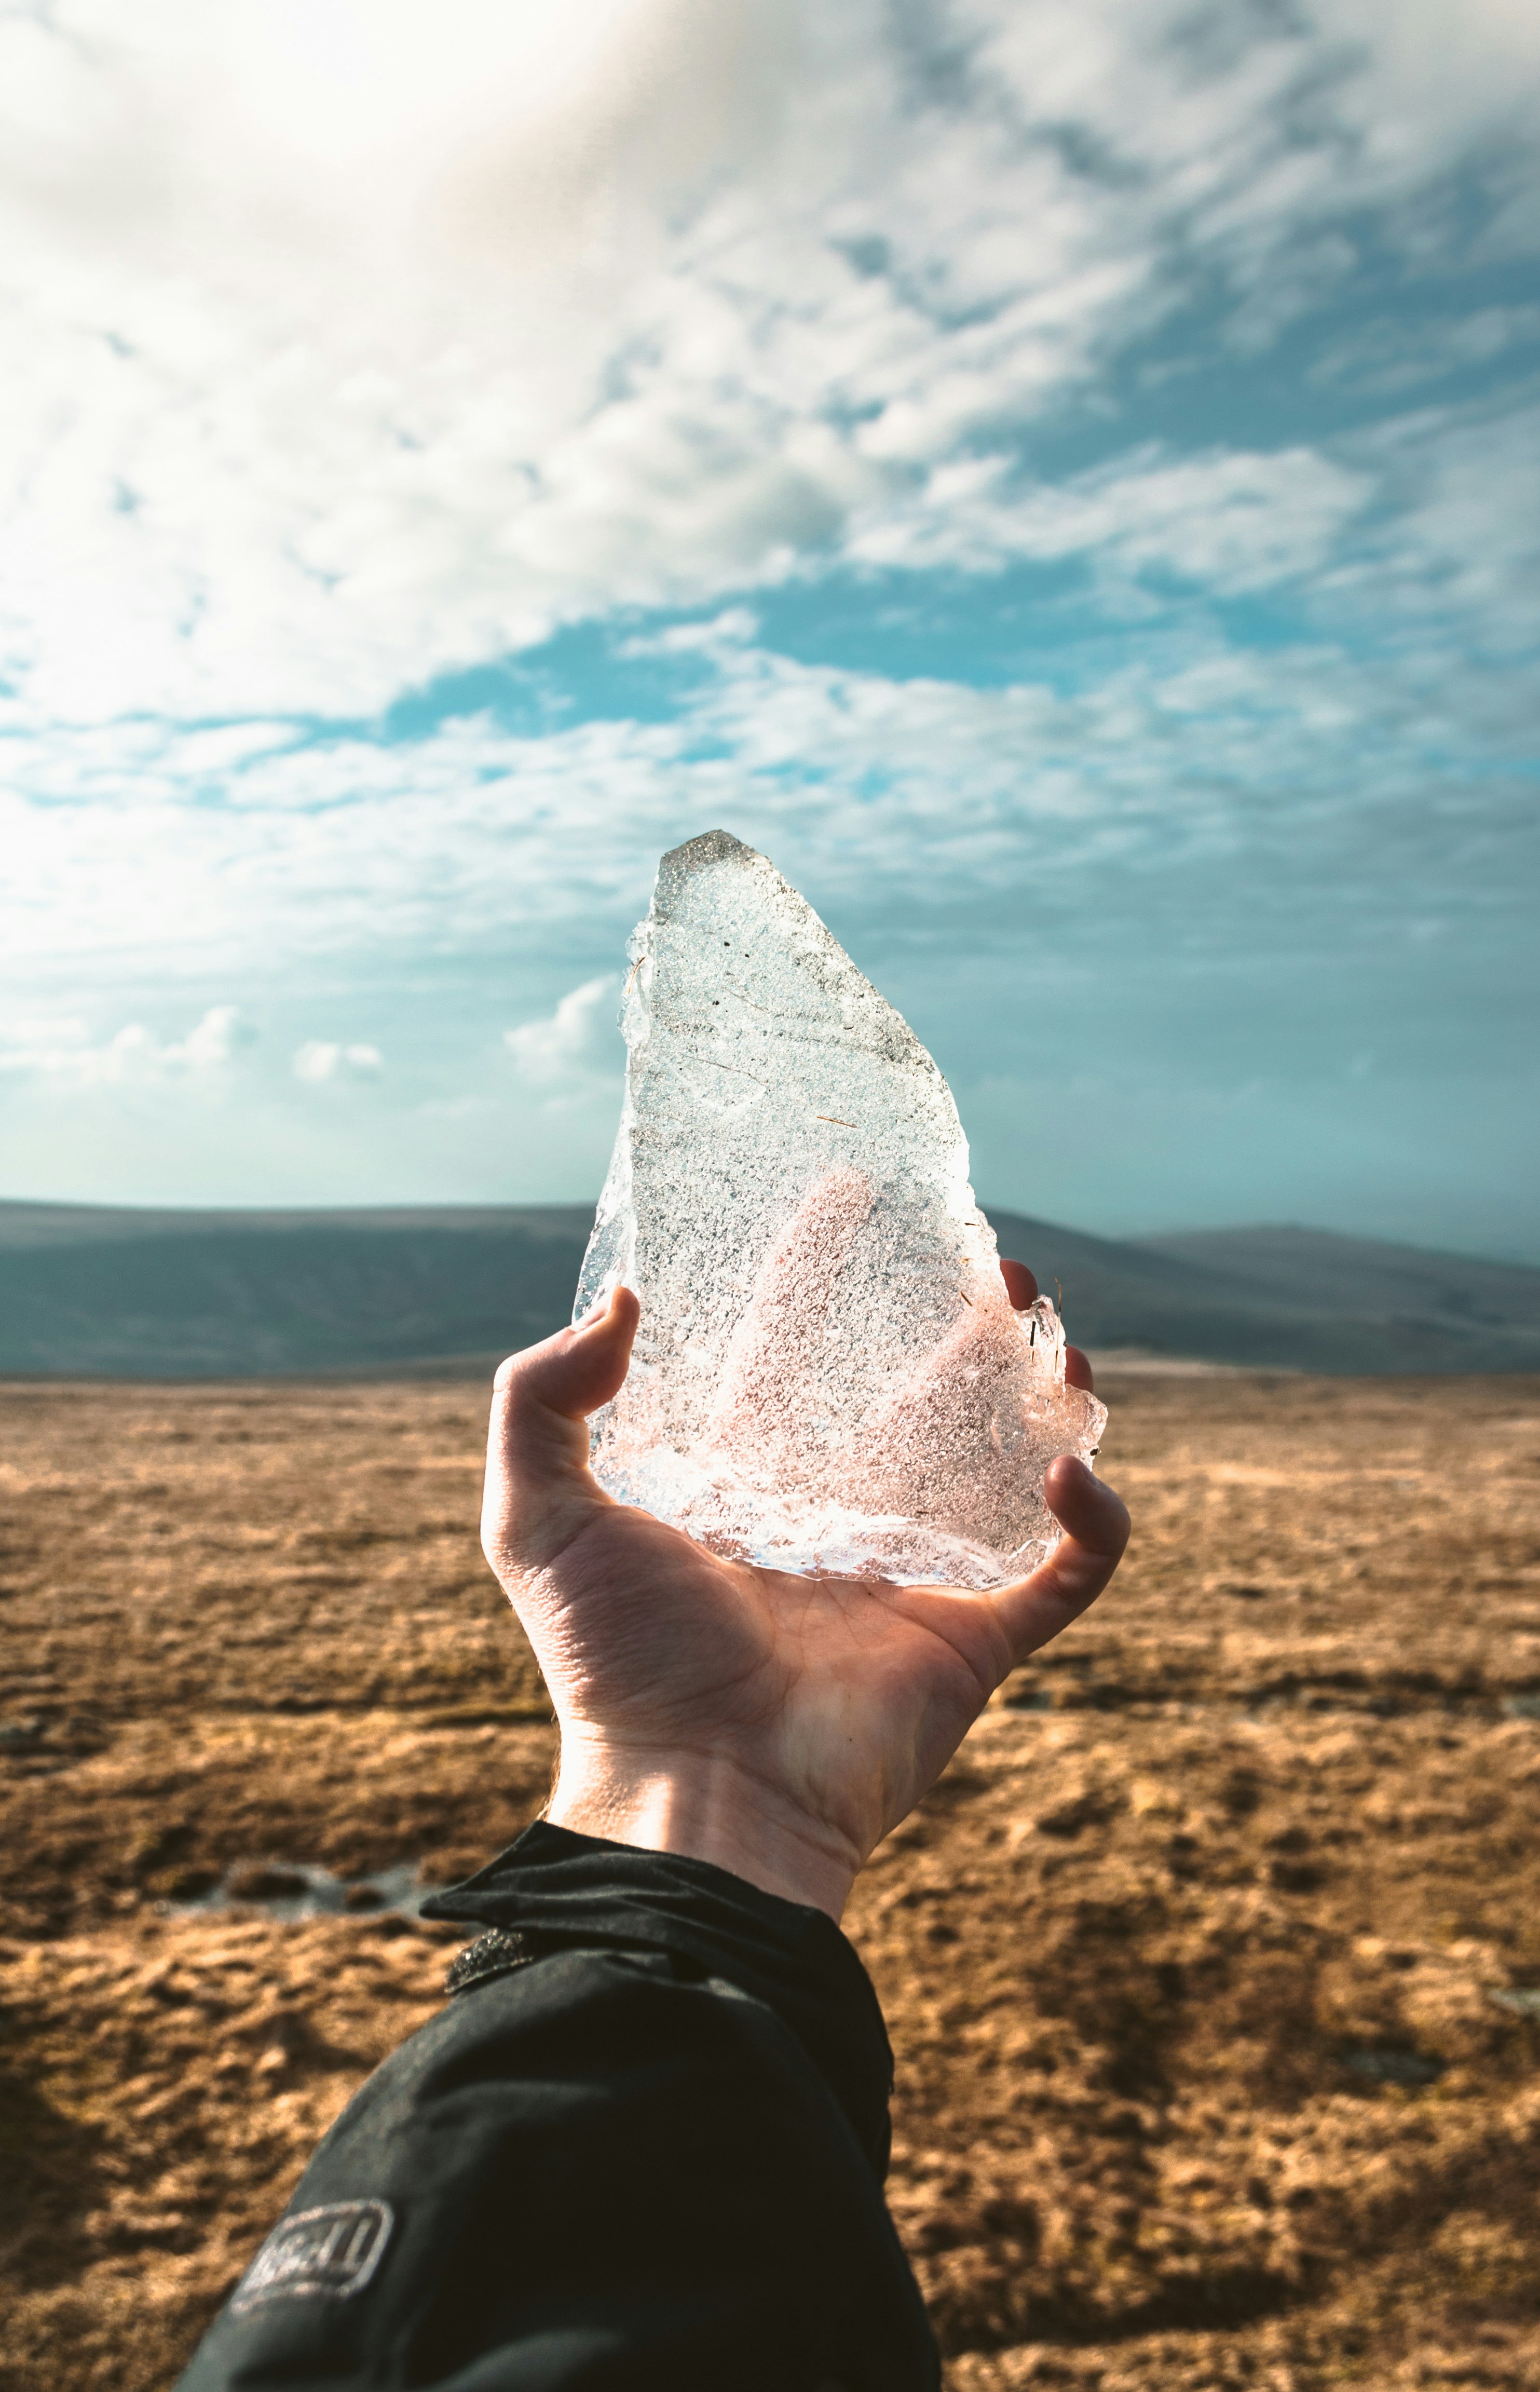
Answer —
(642, 2147)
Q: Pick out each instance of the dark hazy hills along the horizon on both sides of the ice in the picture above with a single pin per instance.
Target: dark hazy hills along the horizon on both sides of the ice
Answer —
(114, 1293)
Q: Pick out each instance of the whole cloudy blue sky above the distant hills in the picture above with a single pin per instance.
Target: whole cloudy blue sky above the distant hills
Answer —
(1061, 480)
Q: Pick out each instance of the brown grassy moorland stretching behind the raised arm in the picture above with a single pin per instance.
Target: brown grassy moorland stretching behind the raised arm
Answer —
(1202, 1963)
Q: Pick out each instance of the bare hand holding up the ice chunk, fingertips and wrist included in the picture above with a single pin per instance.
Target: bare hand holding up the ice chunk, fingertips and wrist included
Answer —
(778, 1726)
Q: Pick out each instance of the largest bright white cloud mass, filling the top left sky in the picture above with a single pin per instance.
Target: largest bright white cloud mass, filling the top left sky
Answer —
(353, 346)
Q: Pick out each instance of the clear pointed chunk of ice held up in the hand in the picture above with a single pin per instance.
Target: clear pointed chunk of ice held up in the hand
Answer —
(829, 1372)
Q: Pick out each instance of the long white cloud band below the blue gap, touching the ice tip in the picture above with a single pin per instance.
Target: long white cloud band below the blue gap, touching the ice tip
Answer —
(888, 795)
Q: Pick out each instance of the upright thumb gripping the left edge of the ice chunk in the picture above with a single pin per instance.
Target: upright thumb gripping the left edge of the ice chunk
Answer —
(539, 1489)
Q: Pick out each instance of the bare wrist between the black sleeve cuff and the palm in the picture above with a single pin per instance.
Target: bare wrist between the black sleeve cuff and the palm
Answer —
(704, 1807)
